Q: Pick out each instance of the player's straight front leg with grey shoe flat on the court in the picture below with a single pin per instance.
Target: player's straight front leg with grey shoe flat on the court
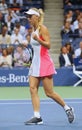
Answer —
(34, 84)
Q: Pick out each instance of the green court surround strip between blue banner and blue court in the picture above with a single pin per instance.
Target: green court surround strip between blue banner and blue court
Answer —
(23, 92)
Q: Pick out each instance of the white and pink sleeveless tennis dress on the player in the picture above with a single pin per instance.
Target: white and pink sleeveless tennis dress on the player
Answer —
(42, 65)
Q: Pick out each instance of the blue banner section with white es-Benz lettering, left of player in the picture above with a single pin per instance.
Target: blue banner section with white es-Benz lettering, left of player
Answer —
(14, 77)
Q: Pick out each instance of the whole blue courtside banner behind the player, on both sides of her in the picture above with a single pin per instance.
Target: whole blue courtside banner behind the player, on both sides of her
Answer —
(18, 77)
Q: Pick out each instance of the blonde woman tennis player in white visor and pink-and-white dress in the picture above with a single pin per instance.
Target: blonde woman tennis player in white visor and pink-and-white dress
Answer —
(42, 67)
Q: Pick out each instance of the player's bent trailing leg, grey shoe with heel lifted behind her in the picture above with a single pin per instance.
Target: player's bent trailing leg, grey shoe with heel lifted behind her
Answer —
(48, 87)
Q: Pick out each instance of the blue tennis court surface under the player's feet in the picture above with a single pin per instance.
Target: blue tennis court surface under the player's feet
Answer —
(13, 113)
